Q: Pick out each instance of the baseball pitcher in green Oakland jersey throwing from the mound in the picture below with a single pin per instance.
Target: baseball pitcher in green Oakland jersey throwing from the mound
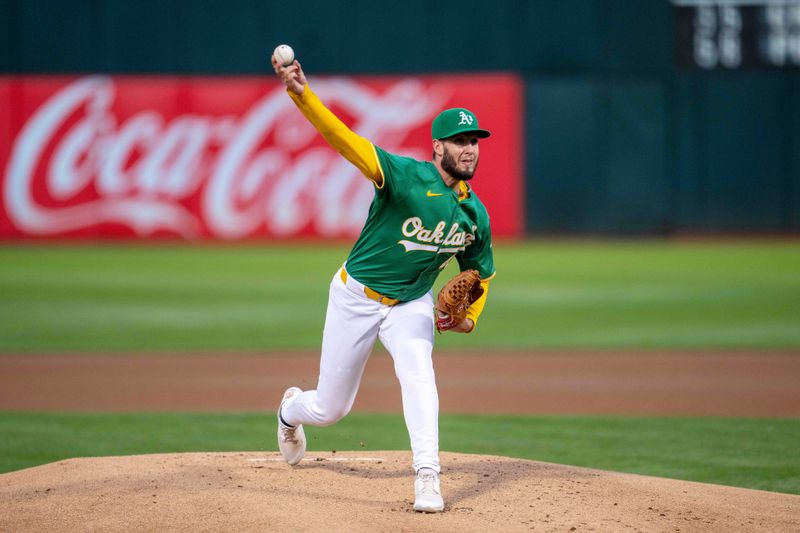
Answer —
(423, 214)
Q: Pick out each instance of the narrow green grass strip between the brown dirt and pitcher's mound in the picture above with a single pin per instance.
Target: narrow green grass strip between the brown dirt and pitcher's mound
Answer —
(760, 454)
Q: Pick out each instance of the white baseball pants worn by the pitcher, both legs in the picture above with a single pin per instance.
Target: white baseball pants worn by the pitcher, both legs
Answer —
(352, 325)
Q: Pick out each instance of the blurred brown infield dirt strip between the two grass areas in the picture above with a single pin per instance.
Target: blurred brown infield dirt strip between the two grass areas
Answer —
(762, 384)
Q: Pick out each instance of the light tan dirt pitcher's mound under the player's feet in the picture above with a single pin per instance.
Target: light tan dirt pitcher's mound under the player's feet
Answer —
(369, 491)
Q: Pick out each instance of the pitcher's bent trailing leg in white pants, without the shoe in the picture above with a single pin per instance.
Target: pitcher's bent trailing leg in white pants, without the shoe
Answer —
(351, 328)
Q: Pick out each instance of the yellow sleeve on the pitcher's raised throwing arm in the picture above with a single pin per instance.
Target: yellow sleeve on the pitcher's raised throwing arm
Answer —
(349, 144)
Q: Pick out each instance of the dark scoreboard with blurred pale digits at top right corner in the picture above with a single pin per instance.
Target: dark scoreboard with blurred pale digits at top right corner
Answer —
(737, 34)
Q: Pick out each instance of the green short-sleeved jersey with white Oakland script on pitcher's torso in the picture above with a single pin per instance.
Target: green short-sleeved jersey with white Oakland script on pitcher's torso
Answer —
(415, 226)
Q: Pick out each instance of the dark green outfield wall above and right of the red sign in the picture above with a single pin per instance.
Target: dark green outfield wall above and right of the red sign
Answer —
(616, 138)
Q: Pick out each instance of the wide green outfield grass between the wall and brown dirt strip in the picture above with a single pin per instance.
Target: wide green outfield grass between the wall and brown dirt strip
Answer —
(546, 295)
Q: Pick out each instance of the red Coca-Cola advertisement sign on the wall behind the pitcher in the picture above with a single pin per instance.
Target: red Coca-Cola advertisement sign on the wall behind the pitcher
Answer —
(228, 158)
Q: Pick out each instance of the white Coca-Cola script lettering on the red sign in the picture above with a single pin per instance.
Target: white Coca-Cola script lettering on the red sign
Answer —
(75, 164)
